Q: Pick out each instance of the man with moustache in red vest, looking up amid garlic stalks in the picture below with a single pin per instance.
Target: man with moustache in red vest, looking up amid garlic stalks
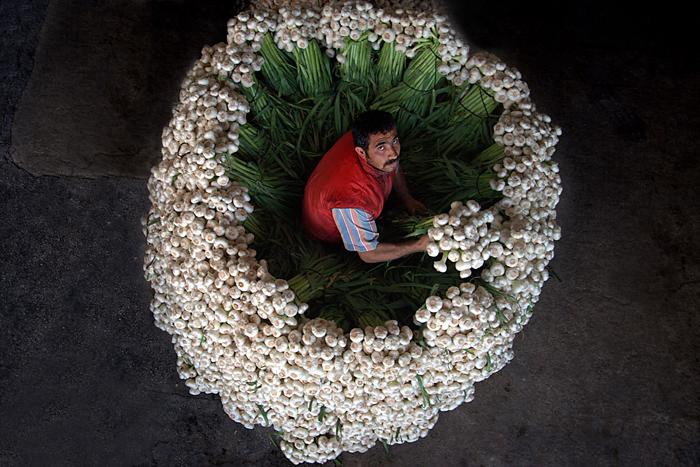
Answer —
(347, 190)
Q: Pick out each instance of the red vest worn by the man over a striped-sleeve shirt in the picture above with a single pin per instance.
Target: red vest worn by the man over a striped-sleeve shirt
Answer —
(343, 179)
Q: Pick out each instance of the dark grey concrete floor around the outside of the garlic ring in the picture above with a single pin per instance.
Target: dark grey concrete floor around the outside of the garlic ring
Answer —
(605, 374)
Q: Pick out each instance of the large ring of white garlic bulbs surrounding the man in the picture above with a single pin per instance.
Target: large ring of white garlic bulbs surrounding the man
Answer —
(241, 333)
